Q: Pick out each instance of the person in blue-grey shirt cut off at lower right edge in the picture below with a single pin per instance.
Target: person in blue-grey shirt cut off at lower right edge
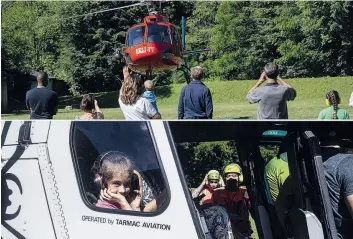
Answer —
(338, 173)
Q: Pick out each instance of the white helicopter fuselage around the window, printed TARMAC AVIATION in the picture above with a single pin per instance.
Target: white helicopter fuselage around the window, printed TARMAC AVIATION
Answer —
(45, 201)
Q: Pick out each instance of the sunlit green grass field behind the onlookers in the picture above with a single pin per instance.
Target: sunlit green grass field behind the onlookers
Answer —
(228, 100)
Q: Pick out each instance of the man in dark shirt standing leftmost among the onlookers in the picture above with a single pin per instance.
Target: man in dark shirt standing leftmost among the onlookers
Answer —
(42, 102)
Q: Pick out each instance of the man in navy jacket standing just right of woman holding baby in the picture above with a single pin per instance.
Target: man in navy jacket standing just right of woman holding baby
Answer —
(195, 100)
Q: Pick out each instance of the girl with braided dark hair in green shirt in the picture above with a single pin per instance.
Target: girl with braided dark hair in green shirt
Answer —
(333, 111)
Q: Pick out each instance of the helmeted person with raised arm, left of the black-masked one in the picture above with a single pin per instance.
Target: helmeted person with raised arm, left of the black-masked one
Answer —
(212, 181)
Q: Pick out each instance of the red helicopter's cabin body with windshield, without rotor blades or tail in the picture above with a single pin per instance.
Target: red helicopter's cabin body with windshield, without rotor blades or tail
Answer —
(154, 45)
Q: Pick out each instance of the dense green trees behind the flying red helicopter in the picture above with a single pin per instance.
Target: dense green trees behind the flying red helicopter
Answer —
(306, 39)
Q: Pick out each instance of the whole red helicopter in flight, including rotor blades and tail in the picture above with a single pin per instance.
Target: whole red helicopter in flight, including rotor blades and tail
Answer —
(155, 44)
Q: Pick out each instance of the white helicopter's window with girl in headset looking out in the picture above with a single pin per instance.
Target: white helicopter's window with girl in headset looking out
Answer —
(118, 160)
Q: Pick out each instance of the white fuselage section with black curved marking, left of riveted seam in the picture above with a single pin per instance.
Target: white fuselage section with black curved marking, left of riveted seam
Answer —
(27, 182)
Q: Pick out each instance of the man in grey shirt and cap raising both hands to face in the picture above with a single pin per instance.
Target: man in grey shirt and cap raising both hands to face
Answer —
(272, 97)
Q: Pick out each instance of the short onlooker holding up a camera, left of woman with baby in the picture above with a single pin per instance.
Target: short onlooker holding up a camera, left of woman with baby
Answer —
(90, 108)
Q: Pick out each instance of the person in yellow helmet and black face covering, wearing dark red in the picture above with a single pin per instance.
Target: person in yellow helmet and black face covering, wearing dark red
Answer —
(235, 200)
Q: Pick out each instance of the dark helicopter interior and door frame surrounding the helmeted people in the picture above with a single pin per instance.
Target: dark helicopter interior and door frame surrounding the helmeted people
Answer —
(306, 212)
